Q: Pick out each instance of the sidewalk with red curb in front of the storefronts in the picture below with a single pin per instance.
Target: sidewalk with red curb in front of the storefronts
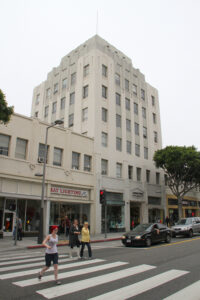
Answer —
(7, 243)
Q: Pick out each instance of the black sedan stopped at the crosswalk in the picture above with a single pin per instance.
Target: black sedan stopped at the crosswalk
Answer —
(147, 234)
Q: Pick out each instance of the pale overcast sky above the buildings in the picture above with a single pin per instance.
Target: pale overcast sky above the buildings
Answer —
(162, 37)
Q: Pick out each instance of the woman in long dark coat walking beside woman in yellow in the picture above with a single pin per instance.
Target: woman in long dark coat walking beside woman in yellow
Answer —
(73, 238)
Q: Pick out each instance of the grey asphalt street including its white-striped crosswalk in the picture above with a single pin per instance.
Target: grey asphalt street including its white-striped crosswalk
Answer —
(115, 272)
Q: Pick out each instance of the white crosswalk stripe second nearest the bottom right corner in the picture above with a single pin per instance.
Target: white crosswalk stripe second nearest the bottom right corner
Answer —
(142, 286)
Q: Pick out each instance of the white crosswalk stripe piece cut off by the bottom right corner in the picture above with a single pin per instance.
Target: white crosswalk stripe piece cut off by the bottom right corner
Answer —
(191, 292)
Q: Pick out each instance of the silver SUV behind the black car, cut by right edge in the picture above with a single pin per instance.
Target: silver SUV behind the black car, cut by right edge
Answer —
(186, 227)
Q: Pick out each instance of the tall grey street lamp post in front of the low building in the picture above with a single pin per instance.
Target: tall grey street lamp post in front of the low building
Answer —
(41, 226)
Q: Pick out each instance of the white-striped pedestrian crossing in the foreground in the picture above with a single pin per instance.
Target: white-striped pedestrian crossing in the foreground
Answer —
(105, 279)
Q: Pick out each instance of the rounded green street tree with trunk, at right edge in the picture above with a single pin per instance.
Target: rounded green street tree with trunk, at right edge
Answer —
(182, 168)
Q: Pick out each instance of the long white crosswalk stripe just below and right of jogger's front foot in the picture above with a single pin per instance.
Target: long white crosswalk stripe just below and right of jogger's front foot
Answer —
(65, 289)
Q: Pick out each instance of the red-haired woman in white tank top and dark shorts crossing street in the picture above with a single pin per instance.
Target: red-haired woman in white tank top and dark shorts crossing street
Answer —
(51, 253)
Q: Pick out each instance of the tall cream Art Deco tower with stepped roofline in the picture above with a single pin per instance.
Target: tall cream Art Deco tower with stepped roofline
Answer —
(97, 92)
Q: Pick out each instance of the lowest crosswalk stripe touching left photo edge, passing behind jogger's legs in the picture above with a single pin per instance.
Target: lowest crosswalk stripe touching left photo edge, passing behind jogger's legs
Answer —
(60, 267)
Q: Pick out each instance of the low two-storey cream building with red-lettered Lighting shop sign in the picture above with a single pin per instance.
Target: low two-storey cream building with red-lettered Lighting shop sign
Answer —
(69, 184)
